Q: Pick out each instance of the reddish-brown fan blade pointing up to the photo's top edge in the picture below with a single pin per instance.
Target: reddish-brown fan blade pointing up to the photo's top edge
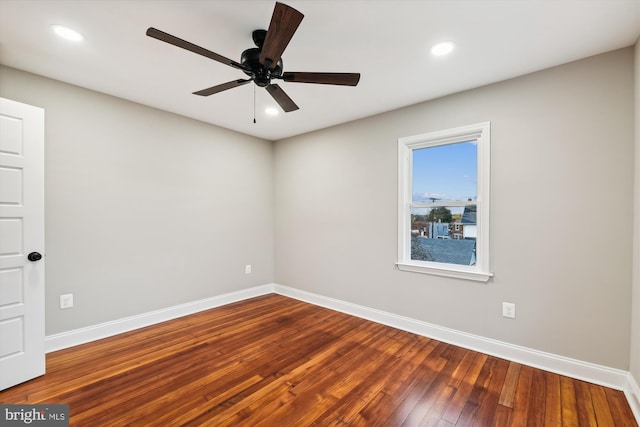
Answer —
(284, 23)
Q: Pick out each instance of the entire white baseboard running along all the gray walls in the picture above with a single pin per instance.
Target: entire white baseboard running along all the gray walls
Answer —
(597, 374)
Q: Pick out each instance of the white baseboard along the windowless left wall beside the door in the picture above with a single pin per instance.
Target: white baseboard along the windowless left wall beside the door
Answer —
(103, 330)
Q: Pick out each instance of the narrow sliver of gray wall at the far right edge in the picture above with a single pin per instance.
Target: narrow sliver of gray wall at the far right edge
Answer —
(635, 301)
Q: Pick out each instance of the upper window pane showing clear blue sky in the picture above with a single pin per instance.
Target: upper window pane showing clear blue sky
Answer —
(445, 173)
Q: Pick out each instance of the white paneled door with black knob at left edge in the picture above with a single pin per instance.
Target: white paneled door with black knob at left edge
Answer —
(21, 241)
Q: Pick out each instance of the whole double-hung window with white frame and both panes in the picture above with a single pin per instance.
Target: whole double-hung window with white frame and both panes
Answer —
(443, 202)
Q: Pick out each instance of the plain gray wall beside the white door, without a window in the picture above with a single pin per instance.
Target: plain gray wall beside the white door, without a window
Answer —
(144, 209)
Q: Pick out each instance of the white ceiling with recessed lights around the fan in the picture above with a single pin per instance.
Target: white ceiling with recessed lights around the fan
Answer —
(387, 42)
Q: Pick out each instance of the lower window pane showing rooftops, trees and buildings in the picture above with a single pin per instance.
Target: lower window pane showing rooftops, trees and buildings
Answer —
(444, 234)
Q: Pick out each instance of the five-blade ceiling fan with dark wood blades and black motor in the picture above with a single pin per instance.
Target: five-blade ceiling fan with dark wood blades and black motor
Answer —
(264, 62)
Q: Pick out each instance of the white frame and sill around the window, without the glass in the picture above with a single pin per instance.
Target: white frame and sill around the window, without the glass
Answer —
(479, 132)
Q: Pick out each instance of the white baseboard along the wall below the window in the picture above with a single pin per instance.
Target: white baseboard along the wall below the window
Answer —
(597, 374)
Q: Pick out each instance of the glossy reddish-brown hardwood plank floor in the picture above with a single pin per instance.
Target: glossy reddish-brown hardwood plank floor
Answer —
(276, 361)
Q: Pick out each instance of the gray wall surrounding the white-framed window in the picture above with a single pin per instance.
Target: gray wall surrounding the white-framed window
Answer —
(562, 200)
